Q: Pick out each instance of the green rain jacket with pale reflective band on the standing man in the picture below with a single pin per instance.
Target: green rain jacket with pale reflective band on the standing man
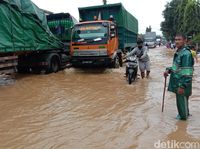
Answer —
(181, 71)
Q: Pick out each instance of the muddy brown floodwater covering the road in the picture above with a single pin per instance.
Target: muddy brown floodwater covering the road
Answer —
(95, 109)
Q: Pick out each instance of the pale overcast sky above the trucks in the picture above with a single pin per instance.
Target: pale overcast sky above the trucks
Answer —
(148, 12)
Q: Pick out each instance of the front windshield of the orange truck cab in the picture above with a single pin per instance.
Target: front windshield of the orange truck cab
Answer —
(89, 31)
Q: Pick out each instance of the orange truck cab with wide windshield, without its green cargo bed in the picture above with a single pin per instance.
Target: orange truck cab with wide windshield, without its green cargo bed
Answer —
(95, 43)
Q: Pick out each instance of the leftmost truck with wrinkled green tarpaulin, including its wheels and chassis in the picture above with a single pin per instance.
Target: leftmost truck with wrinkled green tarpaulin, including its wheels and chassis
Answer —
(27, 43)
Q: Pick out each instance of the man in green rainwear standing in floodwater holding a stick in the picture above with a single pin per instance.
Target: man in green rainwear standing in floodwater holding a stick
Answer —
(181, 74)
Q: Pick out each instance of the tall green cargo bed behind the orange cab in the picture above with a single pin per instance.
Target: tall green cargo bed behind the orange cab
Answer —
(127, 24)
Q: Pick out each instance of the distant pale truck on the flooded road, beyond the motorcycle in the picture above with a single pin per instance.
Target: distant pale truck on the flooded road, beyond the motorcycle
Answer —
(150, 39)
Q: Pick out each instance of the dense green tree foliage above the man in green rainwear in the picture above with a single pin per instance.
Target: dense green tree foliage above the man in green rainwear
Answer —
(181, 16)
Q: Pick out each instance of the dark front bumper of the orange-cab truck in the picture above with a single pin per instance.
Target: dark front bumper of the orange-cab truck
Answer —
(91, 61)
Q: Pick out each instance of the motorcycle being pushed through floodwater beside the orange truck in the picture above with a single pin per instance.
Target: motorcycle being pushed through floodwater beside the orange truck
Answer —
(131, 68)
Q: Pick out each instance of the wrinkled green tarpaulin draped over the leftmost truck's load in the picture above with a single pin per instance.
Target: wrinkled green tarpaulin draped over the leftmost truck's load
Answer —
(23, 26)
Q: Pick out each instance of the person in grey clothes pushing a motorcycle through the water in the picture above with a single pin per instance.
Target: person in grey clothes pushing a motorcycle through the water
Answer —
(144, 61)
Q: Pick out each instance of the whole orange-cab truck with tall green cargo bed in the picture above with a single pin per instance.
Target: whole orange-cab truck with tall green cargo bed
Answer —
(102, 35)
